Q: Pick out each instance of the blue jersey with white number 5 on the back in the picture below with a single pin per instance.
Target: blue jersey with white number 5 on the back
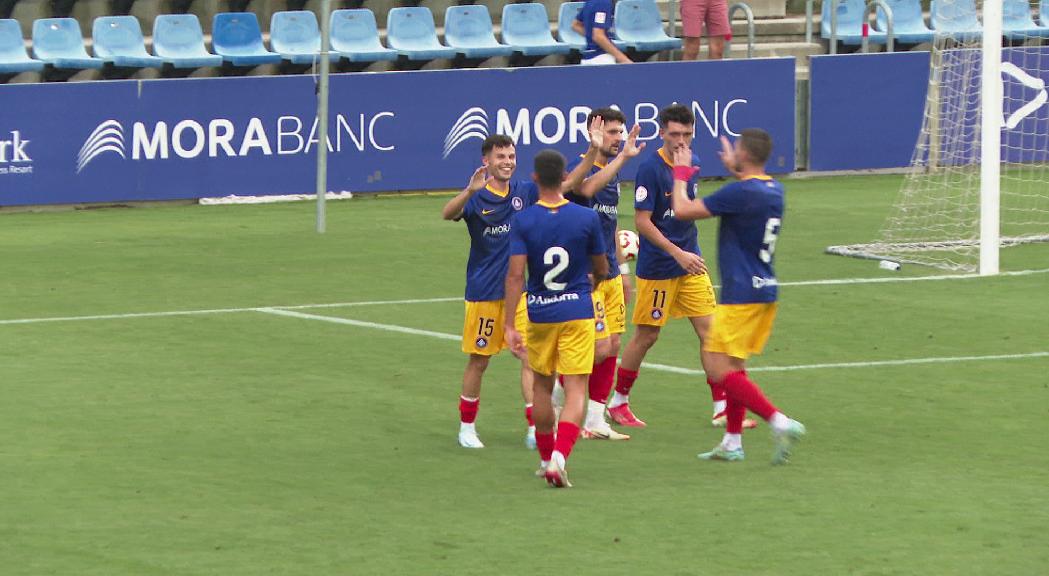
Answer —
(752, 212)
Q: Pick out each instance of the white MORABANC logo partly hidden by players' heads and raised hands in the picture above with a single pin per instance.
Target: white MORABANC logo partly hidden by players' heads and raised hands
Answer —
(551, 125)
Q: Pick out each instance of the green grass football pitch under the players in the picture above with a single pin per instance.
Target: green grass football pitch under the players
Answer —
(244, 443)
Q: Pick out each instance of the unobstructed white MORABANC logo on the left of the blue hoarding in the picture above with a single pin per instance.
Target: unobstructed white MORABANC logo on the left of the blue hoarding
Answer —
(192, 139)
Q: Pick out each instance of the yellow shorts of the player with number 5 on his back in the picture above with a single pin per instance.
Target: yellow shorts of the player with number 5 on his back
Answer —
(741, 330)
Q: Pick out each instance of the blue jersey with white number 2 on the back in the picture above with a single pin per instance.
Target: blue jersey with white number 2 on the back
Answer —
(559, 241)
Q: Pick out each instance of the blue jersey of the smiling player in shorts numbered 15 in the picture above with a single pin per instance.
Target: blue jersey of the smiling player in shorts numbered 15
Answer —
(488, 215)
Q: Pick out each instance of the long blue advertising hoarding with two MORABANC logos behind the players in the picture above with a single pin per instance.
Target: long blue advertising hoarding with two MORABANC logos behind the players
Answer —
(204, 138)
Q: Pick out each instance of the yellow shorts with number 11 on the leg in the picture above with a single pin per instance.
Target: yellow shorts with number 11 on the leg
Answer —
(688, 296)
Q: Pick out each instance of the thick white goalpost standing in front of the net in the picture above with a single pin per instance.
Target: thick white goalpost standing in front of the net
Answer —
(991, 161)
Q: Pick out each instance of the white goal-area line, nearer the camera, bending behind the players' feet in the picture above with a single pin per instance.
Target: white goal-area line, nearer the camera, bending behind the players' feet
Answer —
(666, 368)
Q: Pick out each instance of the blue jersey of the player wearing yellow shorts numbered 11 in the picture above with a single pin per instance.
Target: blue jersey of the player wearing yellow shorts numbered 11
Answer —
(653, 188)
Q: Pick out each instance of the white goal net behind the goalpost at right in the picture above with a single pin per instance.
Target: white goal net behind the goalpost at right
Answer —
(936, 219)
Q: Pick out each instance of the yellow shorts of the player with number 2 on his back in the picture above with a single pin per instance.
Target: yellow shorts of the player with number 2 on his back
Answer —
(565, 348)
